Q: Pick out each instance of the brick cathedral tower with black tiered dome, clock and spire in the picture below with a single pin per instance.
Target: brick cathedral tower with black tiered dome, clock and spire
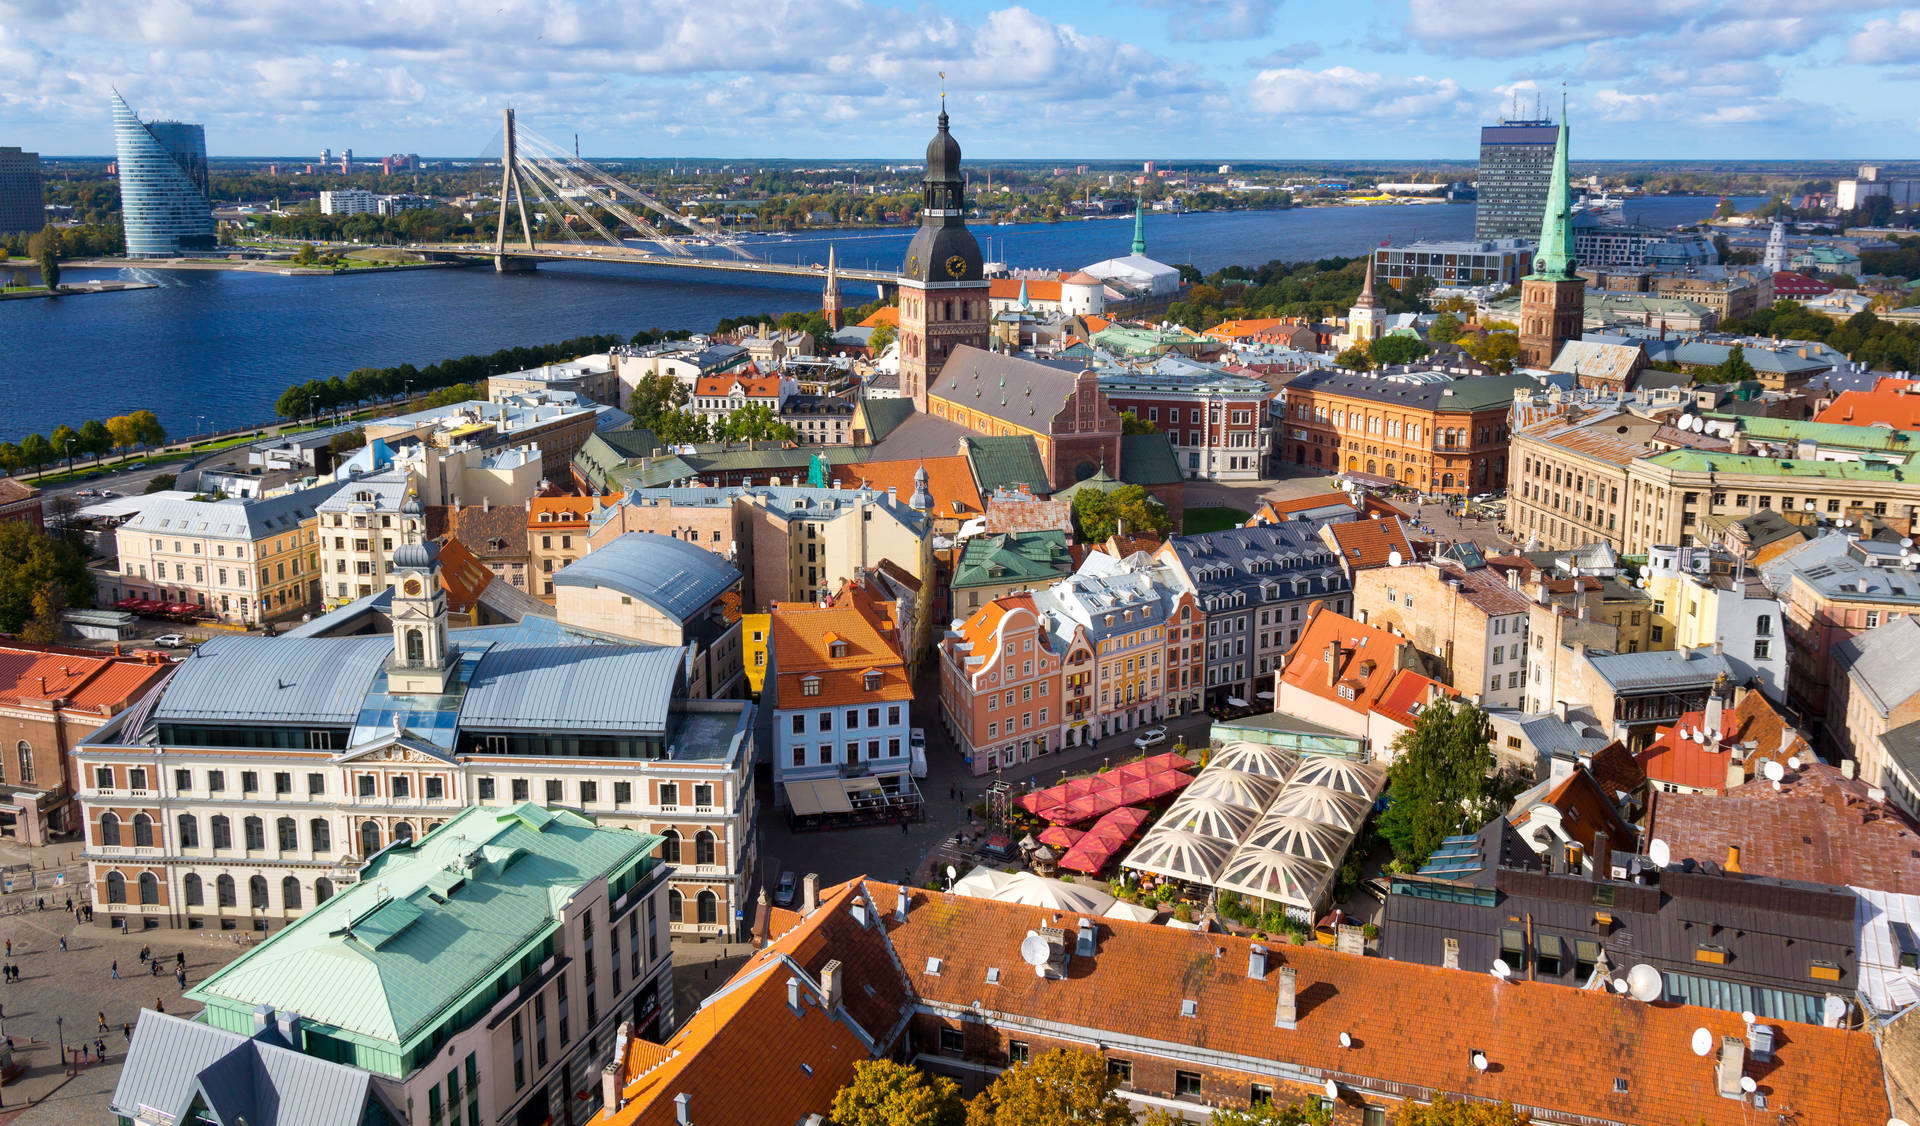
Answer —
(944, 293)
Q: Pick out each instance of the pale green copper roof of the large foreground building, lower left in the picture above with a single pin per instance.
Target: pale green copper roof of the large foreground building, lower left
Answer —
(427, 929)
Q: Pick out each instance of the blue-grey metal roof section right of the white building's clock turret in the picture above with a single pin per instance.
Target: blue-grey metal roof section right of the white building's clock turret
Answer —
(571, 689)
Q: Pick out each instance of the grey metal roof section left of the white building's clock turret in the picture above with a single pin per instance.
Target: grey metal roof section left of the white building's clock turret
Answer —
(293, 681)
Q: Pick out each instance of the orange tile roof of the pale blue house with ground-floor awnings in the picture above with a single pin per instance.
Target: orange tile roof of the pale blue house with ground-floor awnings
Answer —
(800, 639)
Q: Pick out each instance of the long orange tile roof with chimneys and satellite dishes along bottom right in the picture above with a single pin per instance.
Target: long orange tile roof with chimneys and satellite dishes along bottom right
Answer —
(1552, 1048)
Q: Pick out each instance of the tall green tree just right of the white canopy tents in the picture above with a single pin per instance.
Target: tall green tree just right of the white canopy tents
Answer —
(1441, 783)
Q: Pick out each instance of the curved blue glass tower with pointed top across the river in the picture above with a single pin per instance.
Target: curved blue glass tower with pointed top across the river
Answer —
(164, 185)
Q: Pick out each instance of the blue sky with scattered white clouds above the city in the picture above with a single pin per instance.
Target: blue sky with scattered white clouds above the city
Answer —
(1118, 80)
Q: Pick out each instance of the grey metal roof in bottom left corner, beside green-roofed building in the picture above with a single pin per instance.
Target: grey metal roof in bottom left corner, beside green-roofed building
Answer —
(243, 1081)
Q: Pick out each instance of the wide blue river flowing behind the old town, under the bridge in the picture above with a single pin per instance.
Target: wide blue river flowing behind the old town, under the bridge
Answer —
(212, 349)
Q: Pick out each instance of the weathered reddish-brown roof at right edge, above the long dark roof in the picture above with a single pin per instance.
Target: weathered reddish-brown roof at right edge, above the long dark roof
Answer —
(1817, 827)
